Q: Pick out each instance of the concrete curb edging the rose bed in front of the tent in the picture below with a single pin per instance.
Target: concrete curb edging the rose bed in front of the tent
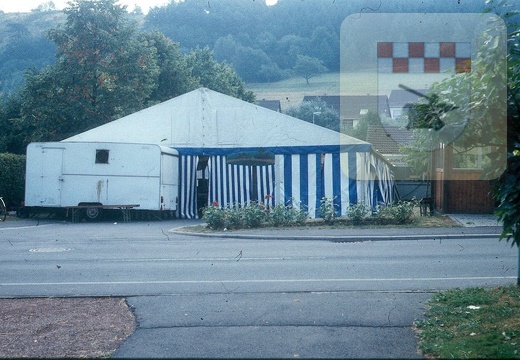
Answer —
(334, 238)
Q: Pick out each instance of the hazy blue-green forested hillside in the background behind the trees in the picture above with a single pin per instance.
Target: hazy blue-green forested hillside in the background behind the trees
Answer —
(263, 43)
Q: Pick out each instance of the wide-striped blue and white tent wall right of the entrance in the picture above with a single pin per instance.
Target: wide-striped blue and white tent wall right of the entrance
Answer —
(348, 178)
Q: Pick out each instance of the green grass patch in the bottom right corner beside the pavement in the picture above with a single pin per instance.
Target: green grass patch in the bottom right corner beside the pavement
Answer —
(472, 323)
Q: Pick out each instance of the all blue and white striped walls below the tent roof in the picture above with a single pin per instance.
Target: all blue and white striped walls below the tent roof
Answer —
(298, 179)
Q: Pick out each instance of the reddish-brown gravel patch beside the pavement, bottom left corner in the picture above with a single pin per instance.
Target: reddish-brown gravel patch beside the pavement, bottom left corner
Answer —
(63, 327)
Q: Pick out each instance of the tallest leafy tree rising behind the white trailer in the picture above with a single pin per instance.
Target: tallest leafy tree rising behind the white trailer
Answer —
(103, 71)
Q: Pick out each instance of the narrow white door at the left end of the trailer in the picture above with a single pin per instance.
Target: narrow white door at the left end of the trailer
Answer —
(51, 179)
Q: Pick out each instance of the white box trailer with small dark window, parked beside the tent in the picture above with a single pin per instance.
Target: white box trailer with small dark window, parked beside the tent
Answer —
(93, 176)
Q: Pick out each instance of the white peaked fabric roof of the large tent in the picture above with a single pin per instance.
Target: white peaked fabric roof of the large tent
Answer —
(207, 119)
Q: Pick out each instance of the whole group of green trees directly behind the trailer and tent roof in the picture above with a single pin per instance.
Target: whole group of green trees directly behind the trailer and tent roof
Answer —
(105, 69)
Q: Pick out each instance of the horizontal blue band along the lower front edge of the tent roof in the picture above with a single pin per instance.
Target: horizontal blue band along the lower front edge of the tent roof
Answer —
(279, 150)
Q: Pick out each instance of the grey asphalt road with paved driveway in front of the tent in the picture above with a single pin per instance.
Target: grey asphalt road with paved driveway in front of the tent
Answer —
(211, 297)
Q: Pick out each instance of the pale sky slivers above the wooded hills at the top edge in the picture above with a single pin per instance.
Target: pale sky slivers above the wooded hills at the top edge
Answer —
(28, 5)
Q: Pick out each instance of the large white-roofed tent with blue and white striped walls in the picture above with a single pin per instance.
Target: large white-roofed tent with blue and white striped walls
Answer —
(309, 162)
